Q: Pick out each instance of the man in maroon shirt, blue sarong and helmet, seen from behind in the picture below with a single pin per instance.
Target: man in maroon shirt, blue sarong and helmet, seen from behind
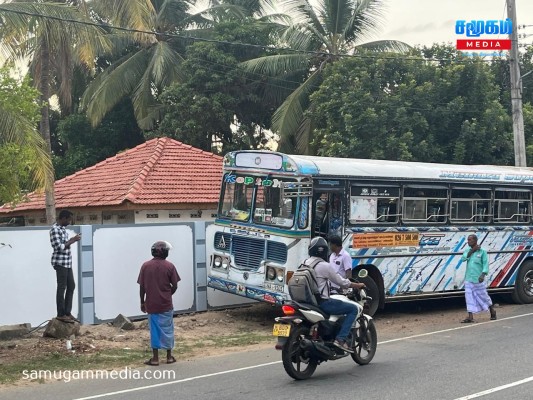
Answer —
(158, 281)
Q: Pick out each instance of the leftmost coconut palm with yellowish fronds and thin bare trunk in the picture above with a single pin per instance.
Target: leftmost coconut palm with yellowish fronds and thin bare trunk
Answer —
(41, 31)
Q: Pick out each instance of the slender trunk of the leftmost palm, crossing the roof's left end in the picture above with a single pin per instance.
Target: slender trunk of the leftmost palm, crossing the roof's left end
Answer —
(44, 126)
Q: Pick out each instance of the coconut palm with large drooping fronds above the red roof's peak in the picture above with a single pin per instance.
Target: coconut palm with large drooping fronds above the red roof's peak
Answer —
(153, 57)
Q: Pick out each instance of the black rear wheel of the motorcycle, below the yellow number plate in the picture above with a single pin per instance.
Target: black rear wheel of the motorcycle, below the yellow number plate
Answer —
(295, 362)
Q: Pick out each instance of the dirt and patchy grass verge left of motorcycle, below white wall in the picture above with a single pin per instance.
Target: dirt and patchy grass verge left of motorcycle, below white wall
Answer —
(100, 346)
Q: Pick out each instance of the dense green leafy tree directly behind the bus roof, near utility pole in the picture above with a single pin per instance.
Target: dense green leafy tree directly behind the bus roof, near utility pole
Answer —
(412, 110)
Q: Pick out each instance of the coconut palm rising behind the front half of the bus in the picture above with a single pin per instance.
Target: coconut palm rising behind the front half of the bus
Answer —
(319, 35)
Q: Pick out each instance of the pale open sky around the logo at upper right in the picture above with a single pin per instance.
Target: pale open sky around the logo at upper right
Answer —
(425, 22)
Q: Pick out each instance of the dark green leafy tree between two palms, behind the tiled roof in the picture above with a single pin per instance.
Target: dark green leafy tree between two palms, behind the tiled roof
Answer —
(217, 106)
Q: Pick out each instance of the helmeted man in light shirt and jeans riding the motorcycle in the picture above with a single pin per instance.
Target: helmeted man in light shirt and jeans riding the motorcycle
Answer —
(325, 273)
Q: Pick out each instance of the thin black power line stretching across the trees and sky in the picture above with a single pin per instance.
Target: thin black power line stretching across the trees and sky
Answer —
(250, 45)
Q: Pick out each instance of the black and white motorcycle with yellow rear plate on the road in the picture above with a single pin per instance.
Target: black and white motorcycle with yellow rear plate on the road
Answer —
(306, 334)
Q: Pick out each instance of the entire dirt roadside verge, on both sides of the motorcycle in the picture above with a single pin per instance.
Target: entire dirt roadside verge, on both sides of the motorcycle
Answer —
(208, 334)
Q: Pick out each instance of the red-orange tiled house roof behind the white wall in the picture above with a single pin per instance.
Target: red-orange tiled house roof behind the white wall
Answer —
(160, 171)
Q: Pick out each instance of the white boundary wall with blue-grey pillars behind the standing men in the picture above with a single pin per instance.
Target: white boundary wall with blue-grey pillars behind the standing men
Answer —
(106, 265)
